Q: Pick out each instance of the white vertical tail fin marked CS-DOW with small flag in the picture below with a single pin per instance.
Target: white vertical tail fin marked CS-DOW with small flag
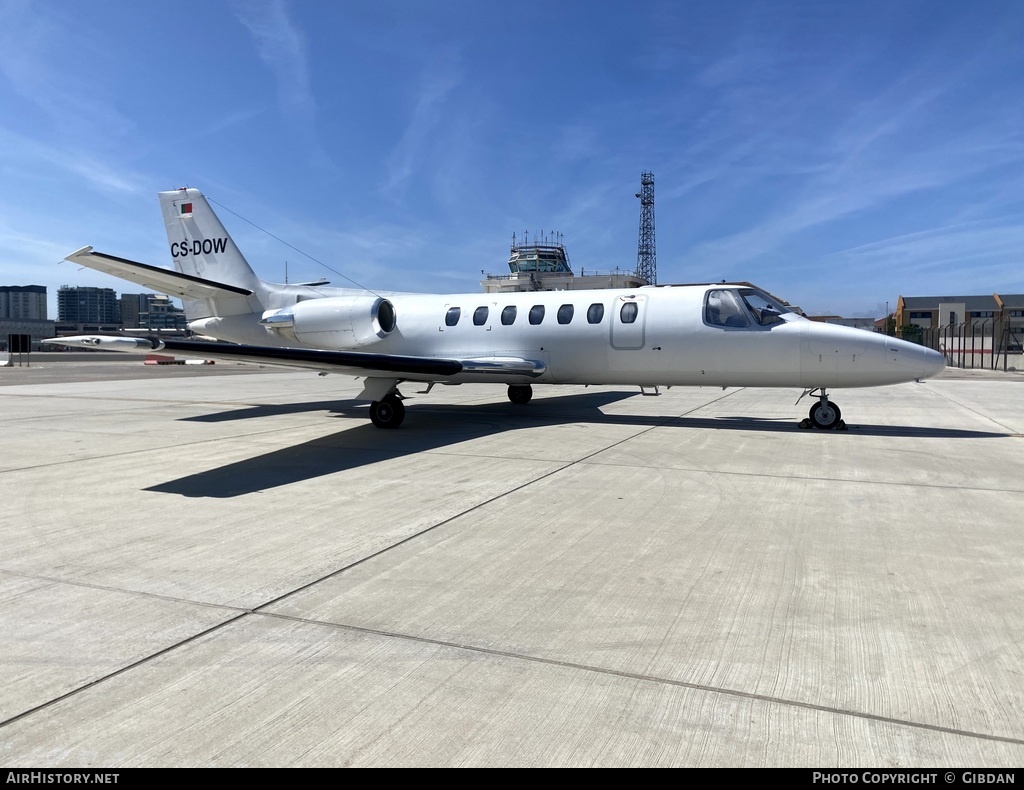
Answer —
(202, 247)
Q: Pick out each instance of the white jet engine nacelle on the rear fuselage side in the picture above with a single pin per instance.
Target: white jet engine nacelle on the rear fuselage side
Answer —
(335, 322)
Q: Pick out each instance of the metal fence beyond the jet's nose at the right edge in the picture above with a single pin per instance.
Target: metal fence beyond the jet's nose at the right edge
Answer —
(992, 345)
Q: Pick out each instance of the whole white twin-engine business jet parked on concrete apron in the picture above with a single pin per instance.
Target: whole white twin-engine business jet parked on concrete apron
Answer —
(704, 336)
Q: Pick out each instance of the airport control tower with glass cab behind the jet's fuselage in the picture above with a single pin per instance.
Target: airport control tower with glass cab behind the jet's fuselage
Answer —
(543, 265)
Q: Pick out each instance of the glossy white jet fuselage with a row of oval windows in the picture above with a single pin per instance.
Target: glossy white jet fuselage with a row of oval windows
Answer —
(647, 337)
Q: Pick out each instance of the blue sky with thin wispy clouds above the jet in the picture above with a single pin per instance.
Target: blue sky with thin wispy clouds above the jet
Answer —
(837, 154)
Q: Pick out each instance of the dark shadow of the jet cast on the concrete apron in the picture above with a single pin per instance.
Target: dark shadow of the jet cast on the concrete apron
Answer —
(434, 427)
